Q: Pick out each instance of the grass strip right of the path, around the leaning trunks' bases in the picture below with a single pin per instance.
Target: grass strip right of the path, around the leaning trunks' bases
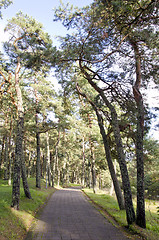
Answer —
(109, 204)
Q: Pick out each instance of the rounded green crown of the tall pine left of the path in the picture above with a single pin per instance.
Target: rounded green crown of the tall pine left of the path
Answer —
(29, 42)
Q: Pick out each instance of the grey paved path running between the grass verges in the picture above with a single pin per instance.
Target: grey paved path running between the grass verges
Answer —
(69, 216)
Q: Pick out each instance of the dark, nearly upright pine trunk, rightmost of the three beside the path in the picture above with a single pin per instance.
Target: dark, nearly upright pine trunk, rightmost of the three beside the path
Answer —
(140, 218)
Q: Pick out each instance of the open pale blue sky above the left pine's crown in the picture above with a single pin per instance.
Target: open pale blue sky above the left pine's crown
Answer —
(42, 11)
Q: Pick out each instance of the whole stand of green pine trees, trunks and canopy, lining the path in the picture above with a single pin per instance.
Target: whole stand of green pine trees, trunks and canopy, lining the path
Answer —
(94, 129)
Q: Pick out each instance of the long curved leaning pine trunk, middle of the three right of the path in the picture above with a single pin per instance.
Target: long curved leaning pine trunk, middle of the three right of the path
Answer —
(119, 147)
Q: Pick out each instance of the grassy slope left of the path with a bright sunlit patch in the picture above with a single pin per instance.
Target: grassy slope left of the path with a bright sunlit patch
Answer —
(15, 224)
